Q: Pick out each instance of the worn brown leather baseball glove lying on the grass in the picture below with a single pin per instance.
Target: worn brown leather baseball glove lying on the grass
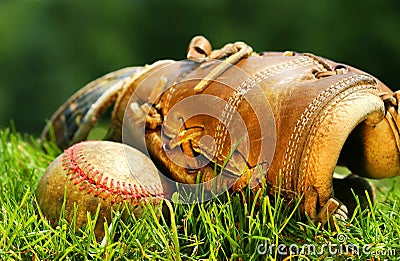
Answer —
(286, 119)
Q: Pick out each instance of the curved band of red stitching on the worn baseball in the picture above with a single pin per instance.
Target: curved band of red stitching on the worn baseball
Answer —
(87, 177)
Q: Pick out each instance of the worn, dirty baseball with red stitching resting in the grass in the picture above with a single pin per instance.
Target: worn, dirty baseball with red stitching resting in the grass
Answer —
(93, 173)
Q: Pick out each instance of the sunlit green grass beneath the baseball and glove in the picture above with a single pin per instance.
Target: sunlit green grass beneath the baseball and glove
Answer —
(230, 227)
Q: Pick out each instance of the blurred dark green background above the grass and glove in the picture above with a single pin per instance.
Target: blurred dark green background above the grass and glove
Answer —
(50, 49)
